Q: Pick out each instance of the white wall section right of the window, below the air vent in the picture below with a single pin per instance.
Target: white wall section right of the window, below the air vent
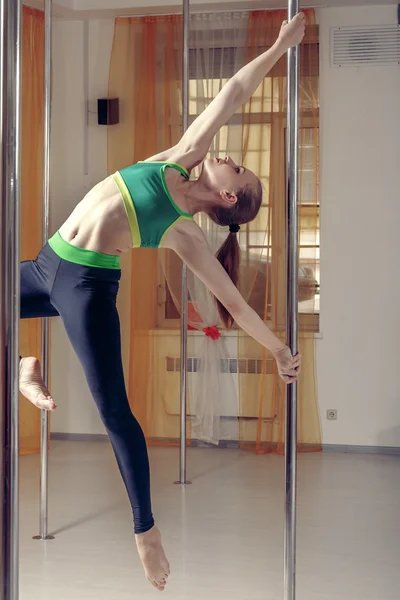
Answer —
(358, 356)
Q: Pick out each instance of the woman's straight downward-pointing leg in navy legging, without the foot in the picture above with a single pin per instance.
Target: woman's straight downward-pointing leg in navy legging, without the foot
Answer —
(92, 324)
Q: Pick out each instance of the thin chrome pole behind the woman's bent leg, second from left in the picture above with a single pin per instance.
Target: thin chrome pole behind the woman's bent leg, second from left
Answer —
(44, 421)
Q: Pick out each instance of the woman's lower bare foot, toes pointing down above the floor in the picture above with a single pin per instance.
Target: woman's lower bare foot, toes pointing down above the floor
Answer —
(153, 557)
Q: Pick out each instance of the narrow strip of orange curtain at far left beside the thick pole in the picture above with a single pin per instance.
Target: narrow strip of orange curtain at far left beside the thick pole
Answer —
(31, 194)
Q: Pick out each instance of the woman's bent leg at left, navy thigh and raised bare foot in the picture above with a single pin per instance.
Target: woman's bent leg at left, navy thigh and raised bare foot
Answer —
(35, 302)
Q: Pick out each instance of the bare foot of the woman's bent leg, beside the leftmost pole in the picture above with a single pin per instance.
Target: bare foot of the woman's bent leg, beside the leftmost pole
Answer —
(31, 384)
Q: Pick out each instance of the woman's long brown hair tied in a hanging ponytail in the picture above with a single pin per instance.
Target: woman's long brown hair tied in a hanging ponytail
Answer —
(246, 208)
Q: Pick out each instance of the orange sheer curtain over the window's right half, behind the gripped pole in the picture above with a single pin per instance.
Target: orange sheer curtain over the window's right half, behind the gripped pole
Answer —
(262, 398)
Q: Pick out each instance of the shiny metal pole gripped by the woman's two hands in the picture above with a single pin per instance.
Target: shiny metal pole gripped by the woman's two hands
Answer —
(292, 309)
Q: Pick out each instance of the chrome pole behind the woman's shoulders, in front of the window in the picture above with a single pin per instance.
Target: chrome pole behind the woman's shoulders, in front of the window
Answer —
(184, 299)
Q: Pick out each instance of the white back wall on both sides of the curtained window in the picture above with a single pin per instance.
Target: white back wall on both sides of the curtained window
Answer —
(358, 354)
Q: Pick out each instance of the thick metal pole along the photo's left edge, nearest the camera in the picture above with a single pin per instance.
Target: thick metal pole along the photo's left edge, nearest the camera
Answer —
(10, 134)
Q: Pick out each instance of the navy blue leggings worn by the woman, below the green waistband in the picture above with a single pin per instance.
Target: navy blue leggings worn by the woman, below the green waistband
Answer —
(85, 299)
